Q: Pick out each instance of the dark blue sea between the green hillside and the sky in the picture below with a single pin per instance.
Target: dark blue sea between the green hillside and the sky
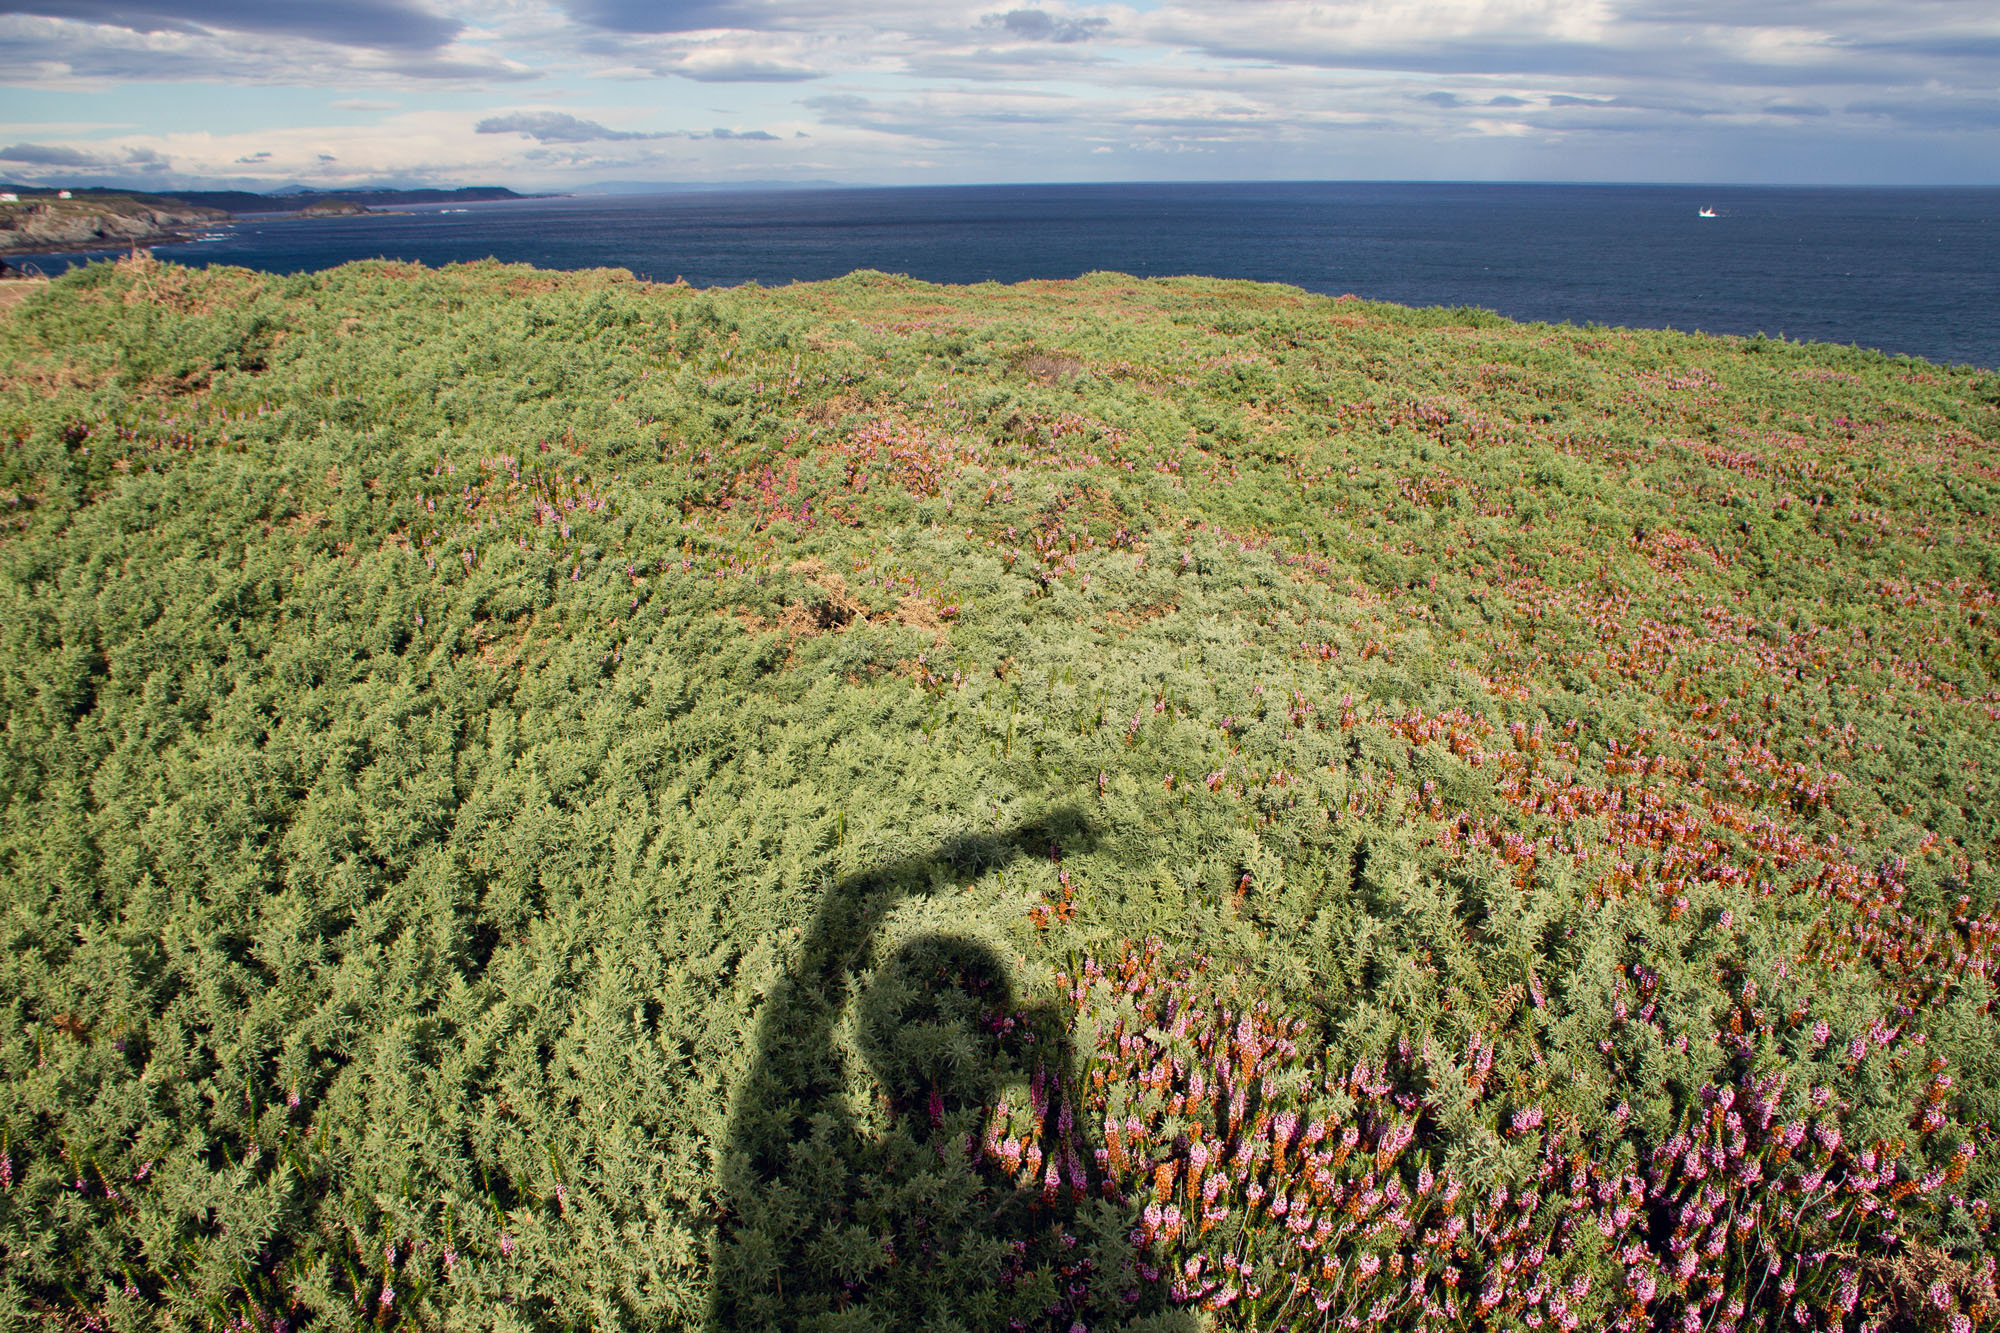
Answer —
(1901, 271)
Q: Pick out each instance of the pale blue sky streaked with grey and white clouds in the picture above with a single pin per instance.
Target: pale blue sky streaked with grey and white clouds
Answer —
(573, 95)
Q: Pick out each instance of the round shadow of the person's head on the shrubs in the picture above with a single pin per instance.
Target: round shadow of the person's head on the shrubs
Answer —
(941, 1030)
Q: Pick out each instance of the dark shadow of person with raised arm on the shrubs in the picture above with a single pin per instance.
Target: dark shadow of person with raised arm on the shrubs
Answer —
(867, 1196)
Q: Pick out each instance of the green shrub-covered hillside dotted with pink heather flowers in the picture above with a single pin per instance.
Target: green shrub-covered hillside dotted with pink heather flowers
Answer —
(561, 804)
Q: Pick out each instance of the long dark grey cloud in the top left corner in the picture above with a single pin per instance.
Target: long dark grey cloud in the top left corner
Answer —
(381, 25)
